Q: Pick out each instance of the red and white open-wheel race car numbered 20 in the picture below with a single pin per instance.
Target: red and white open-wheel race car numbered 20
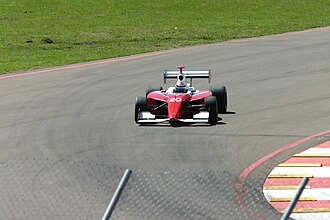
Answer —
(181, 103)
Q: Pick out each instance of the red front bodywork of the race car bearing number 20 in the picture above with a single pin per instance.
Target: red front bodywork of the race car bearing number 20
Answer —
(176, 106)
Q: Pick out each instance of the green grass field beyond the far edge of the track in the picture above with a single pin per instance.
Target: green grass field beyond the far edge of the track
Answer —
(86, 30)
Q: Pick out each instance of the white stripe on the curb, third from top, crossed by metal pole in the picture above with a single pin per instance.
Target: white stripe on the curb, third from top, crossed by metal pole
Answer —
(318, 193)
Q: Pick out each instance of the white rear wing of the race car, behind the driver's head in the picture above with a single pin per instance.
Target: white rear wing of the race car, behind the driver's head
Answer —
(189, 74)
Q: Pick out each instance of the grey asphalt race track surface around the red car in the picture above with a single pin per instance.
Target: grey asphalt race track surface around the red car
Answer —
(66, 136)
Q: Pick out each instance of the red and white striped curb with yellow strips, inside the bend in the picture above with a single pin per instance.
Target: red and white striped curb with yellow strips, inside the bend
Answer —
(282, 183)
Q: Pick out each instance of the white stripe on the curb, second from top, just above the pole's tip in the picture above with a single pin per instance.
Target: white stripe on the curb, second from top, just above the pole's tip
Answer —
(315, 171)
